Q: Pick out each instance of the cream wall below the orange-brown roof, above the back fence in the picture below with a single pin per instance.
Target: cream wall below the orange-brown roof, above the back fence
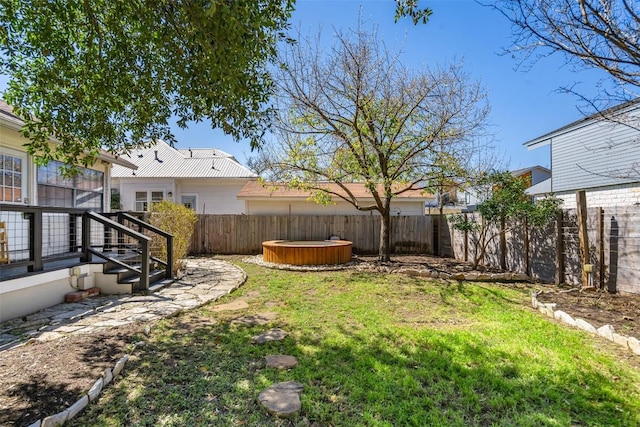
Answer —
(303, 207)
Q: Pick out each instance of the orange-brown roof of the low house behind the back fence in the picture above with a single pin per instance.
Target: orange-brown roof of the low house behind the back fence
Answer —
(256, 190)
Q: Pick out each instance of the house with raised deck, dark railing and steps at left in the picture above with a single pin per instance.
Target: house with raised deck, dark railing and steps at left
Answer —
(58, 232)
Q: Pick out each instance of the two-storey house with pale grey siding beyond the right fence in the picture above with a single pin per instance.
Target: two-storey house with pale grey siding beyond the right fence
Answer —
(599, 154)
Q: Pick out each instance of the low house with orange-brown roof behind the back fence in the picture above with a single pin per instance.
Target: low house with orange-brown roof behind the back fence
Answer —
(278, 200)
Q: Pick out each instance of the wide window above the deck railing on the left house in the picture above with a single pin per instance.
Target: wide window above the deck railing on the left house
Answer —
(84, 190)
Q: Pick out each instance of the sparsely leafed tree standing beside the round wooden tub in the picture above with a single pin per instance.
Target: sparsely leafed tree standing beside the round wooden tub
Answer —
(356, 114)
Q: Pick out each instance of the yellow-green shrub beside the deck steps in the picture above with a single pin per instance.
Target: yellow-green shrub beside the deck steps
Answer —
(178, 220)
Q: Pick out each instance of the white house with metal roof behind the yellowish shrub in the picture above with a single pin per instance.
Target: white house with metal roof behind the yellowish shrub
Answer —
(205, 179)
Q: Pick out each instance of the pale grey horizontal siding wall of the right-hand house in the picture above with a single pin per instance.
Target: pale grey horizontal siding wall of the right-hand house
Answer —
(598, 154)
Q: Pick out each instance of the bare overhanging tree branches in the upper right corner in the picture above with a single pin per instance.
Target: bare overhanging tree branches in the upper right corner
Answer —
(600, 34)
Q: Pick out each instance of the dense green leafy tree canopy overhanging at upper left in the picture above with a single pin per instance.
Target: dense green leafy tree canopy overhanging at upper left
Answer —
(109, 74)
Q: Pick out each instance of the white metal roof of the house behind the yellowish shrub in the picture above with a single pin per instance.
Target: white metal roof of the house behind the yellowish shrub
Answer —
(160, 160)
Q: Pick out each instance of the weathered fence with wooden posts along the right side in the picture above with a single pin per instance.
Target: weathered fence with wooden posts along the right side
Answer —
(552, 253)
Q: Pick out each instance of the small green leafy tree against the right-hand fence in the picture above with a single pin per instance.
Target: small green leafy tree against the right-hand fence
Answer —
(508, 207)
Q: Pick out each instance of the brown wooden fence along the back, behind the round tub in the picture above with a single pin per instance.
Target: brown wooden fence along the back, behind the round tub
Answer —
(244, 234)
